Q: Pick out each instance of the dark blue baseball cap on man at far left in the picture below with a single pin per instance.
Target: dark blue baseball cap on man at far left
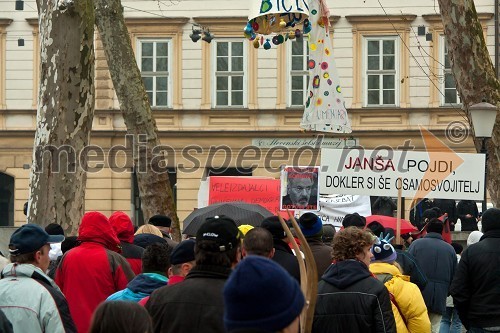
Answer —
(29, 238)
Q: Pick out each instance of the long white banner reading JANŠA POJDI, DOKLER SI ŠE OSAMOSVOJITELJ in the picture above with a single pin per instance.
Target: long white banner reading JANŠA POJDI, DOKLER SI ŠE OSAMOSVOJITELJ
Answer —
(423, 174)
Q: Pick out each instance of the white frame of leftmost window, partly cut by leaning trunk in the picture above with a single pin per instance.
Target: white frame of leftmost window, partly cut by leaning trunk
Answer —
(169, 68)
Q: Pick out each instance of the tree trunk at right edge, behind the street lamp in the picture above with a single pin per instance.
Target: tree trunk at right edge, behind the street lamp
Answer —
(474, 74)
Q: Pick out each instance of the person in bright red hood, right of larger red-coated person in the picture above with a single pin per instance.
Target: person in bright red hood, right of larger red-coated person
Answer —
(124, 228)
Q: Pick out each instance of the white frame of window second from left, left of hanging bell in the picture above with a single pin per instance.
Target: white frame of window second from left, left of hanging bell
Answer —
(244, 72)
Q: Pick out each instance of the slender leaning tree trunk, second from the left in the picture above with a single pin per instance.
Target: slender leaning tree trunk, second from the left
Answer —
(154, 186)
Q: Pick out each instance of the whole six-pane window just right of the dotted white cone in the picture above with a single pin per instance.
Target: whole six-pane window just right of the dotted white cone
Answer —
(381, 71)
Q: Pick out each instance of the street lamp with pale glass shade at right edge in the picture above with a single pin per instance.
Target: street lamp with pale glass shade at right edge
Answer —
(483, 117)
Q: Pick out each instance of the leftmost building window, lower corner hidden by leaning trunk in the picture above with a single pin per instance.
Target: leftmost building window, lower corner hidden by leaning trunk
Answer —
(154, 64)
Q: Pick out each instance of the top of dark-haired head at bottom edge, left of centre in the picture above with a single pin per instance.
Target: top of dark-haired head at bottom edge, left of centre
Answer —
(122, 317)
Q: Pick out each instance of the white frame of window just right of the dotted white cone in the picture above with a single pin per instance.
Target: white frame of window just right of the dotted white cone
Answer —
(396, 71)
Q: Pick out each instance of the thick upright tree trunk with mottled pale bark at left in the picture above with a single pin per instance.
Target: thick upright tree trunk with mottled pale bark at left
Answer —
(64, 115)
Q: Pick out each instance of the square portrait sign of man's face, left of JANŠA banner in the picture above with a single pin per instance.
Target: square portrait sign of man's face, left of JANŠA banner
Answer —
(299, 188)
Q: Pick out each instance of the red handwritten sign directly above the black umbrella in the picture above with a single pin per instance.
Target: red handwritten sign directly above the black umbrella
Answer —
(254, 190)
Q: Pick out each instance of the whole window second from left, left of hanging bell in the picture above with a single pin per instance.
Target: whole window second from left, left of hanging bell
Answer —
(230, 80)
